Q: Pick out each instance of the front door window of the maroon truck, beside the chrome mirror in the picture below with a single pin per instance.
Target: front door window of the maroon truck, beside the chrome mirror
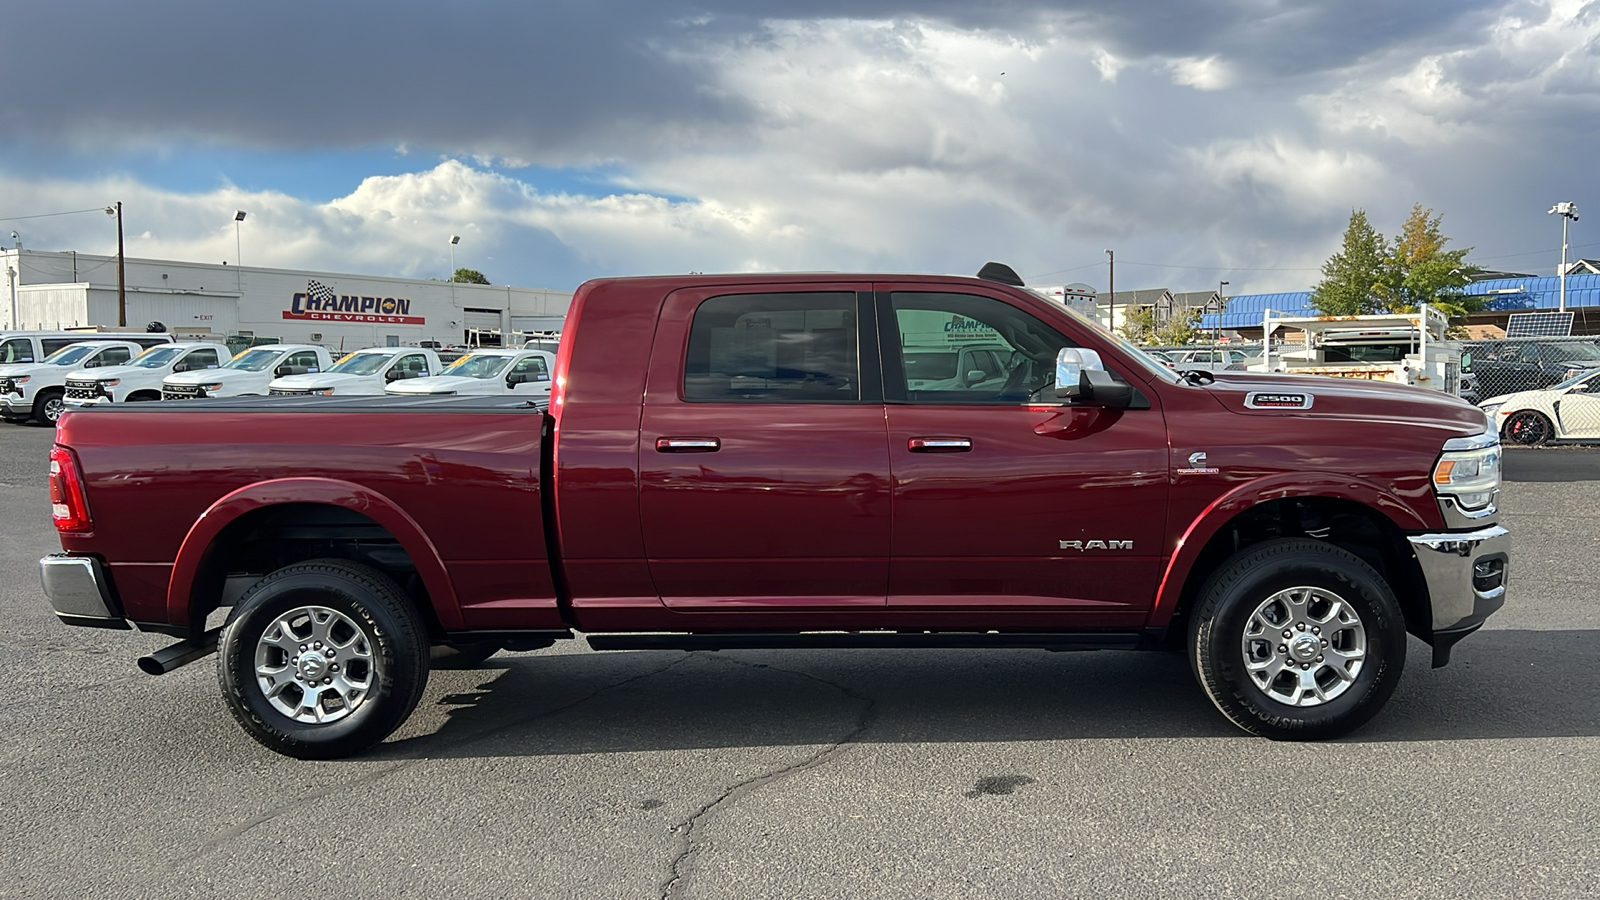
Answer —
(930, 332)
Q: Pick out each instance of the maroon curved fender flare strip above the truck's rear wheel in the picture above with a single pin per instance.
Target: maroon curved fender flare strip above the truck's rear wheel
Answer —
(332, 492)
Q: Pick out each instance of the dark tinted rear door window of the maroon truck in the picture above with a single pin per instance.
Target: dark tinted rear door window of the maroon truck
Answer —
(774, 348)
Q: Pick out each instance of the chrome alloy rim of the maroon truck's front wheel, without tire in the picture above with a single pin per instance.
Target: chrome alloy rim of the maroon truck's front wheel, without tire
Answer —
(1305, 646)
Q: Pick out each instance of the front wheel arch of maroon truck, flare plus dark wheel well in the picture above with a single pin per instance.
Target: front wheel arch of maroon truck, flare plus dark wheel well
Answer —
(1354, 516)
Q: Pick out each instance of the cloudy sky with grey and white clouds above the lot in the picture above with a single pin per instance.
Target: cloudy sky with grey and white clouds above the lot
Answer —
(1204, 140)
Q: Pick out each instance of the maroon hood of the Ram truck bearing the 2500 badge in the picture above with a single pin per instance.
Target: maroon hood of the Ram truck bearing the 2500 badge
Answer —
(1314, 396)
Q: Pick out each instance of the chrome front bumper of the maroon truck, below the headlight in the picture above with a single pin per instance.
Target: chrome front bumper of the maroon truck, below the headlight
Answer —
(1466, 576)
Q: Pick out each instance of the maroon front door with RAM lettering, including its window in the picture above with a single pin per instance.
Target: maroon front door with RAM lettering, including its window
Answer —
(1004, 496)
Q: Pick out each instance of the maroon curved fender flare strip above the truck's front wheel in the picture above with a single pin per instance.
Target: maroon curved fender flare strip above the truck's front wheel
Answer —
(1223, 510)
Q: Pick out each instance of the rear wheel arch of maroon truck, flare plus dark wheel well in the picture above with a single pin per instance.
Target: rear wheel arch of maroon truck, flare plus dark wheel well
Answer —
(332, 518)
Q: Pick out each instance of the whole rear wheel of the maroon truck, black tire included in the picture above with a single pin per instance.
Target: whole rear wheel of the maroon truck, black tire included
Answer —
(364, 608)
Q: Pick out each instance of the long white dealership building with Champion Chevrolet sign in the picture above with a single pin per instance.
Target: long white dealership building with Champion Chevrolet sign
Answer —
(250, 305)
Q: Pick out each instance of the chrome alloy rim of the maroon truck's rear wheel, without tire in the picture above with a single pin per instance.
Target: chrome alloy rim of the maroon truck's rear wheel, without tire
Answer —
(314, 665)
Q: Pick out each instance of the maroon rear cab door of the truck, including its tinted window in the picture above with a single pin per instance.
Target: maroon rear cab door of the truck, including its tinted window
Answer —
(764, 462)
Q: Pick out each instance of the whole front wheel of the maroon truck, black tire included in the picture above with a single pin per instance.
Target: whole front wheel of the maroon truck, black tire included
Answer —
(1268, 694)
